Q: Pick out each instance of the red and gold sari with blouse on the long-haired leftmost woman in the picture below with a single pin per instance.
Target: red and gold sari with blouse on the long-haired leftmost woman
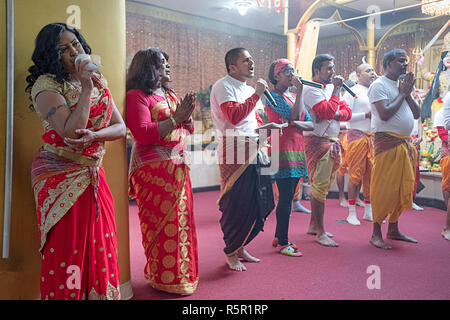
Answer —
(75, 208)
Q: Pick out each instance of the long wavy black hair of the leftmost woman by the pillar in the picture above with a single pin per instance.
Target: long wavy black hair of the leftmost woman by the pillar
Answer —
(47, 55)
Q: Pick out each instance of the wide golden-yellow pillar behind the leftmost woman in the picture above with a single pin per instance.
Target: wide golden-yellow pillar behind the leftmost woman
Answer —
(102, 23)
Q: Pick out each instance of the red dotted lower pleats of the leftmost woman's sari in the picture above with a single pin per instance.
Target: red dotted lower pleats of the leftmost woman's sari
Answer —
(79, 258)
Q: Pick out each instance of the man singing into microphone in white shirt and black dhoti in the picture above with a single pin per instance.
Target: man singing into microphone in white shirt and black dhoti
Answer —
(246, 196)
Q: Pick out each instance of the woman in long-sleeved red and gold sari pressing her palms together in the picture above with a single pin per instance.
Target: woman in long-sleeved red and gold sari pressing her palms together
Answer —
(159, 173)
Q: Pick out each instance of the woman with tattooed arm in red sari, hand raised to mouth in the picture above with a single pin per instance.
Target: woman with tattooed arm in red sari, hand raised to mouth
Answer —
(75, 208)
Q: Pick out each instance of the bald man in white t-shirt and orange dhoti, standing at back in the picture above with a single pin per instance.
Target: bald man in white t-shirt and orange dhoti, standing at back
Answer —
(359, 153)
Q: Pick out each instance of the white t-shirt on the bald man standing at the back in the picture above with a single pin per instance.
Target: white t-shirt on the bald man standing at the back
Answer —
(360, 106)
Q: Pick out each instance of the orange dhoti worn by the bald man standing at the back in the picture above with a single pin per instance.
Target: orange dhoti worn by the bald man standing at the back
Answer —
(359, 157)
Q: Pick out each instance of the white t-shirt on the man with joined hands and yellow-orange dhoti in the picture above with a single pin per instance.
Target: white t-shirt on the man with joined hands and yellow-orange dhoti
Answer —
(402, 122)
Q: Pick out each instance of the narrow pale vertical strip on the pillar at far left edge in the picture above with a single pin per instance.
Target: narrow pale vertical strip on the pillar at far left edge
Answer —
(9, 125)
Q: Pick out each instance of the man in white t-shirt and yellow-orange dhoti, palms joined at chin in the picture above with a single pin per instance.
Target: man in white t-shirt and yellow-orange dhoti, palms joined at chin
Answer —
(393, 113)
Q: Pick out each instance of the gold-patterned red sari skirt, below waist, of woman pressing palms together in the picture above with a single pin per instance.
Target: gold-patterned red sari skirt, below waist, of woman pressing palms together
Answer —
(164, 196)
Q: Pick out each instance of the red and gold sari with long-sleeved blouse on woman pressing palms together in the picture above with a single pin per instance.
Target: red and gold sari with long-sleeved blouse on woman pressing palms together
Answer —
(160, 182)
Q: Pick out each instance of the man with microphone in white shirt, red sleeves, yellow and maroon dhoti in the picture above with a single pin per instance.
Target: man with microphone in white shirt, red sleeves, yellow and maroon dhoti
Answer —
(322, 145)
